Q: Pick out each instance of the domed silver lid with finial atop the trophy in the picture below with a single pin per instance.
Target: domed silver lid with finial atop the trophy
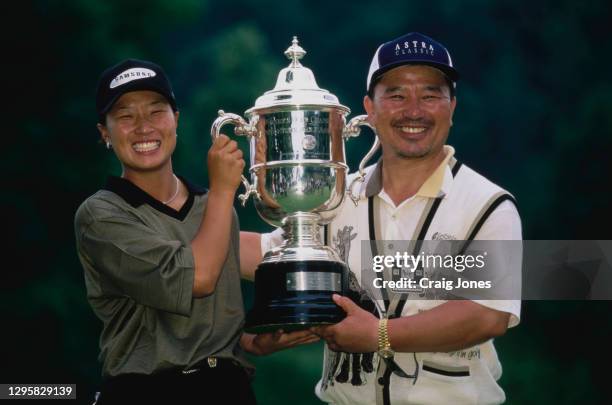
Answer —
(296, 86)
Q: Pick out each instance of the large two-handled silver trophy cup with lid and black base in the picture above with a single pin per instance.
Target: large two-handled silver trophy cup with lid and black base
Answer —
(298, 180)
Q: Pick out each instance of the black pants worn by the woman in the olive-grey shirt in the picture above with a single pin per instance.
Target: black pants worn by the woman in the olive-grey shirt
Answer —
(227, 383)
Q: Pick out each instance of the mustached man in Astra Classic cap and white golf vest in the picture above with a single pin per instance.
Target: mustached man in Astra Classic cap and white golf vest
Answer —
(425, 351)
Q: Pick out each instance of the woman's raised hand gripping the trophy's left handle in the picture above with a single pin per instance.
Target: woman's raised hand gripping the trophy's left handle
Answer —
(225, 165)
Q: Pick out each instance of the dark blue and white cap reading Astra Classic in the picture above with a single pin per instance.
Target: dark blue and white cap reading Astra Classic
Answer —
(412, 48)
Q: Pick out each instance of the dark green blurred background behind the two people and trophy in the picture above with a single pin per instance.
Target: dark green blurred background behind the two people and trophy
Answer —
(534, 114)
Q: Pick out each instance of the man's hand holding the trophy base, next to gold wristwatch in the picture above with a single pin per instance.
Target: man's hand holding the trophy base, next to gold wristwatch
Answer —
(357, 333)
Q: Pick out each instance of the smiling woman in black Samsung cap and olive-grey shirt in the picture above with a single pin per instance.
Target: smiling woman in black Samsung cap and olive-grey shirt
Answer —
(161, 259)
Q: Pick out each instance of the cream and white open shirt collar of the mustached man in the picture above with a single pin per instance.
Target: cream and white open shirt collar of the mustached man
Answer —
(436, 185)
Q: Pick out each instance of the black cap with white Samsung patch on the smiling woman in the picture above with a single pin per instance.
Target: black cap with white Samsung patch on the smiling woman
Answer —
(131, 75)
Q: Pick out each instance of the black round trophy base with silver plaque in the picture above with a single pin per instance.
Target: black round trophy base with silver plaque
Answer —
(296, 295)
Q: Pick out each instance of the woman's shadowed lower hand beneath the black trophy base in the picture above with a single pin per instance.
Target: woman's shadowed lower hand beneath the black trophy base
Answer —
(267, 343)
